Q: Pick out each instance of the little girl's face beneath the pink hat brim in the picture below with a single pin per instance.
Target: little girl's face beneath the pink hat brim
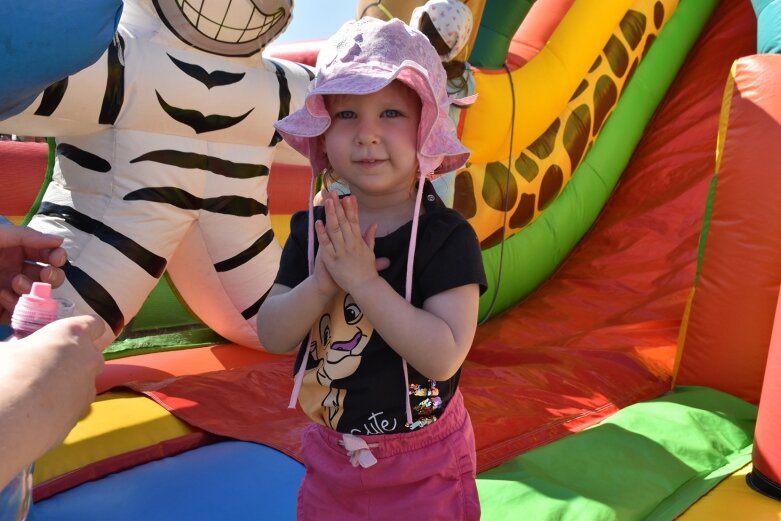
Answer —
(372, 140)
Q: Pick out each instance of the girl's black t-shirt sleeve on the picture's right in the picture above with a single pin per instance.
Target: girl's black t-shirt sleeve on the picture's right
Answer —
(456, 260)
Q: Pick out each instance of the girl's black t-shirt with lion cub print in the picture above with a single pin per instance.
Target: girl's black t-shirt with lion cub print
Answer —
(354, 381)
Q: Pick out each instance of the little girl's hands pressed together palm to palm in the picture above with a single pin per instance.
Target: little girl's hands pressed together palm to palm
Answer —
(347, 254)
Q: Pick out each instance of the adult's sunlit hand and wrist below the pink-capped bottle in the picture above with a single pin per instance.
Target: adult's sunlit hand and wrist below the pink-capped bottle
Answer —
(47, 382)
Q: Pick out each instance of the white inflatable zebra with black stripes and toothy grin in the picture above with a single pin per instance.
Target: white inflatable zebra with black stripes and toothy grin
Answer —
(163, 153)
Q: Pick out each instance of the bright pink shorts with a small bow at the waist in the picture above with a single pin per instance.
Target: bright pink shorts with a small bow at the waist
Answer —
(427, 474)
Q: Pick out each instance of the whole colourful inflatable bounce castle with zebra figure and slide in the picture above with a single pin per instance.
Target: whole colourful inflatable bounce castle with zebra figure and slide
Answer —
(622, 183)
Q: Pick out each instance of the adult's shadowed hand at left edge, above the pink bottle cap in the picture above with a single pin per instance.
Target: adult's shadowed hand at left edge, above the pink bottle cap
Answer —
(27, 256)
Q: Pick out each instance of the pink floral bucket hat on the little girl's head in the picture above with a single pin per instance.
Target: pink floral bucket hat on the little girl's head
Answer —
(363, 57)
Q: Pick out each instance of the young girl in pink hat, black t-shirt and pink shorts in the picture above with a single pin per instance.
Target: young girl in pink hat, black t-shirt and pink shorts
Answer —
(388, 294)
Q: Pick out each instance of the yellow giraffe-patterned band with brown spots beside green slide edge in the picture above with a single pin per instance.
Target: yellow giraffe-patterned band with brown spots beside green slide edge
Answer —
(488, 193)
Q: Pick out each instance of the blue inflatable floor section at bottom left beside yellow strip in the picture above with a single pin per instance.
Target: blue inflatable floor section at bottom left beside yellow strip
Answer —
(232, 480)
